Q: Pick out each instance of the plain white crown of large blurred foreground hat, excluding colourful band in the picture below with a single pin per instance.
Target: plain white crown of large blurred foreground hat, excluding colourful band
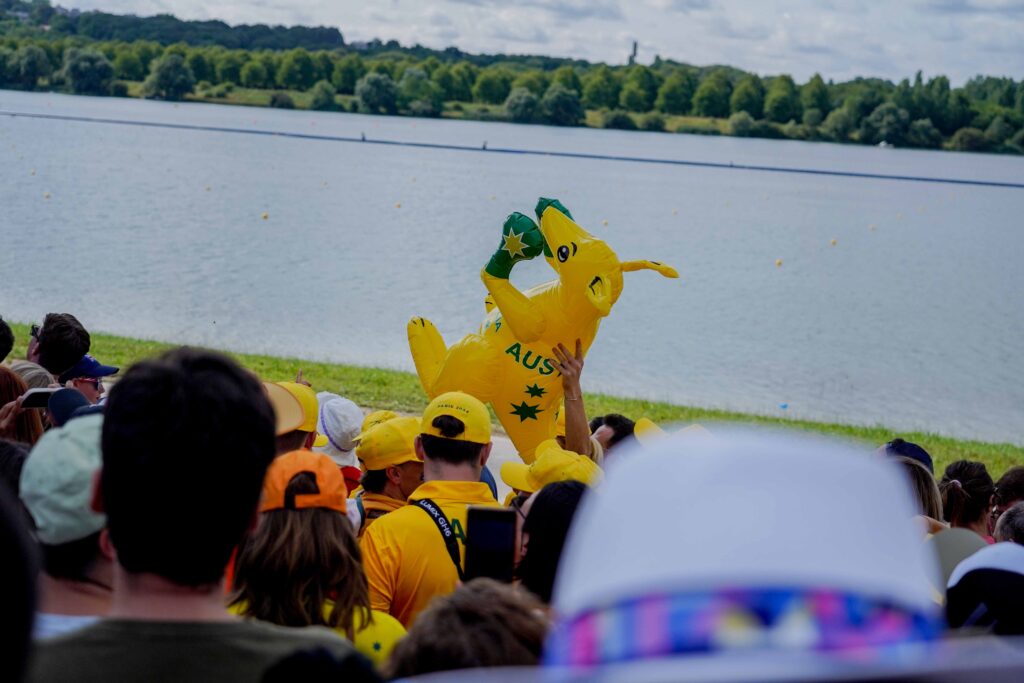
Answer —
(746, 510)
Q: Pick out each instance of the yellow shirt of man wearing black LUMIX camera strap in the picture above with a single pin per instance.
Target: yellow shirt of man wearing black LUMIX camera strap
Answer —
(404, 552)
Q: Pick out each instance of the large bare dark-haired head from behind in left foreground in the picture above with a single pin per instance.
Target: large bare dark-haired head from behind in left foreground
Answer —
(188, 438)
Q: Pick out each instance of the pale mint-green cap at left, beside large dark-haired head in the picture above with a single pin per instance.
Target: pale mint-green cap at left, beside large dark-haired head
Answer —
(58, 479)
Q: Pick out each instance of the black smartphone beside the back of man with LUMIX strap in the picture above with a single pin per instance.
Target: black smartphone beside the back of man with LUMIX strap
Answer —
(490, 543)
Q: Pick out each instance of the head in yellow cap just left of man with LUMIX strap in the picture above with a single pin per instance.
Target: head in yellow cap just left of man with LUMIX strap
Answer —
(389, 456)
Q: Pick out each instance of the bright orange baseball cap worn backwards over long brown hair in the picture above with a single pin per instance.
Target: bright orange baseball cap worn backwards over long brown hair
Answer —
(330, 481)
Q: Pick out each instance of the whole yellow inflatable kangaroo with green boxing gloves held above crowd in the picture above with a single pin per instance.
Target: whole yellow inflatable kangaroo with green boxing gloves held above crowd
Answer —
(508, 363)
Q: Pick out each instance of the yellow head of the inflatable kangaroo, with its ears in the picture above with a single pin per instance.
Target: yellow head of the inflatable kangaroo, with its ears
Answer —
(589, 272)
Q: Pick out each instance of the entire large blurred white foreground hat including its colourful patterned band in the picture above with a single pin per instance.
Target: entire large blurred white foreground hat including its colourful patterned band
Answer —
(767, 576)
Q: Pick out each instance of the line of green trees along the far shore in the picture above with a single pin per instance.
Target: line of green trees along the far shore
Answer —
(988, 114)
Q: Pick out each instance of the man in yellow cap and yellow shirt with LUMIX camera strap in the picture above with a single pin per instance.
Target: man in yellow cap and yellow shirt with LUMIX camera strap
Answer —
(418, 552)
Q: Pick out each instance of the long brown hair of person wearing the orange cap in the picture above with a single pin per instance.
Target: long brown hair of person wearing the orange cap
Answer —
(296, 561)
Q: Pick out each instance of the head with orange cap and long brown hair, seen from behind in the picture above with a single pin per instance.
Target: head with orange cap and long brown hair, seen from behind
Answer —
(304, 551)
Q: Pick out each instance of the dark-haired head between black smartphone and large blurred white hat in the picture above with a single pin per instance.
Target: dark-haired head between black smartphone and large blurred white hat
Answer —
(544, 533)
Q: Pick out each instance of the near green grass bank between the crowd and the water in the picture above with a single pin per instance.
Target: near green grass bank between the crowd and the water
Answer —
(378, 389)
